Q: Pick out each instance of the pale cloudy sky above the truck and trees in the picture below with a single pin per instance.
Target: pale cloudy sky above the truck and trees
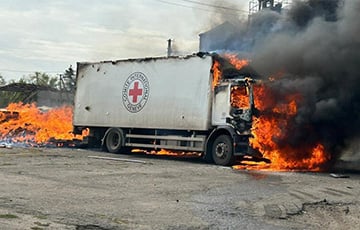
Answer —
(49, 36)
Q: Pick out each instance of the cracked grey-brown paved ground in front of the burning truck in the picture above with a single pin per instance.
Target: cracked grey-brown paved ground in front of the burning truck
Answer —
(54, 188)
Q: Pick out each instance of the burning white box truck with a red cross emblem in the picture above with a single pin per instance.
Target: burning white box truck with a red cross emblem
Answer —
(164, 103)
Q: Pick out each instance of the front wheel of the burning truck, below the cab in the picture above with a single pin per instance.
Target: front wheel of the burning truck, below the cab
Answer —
(222, 150)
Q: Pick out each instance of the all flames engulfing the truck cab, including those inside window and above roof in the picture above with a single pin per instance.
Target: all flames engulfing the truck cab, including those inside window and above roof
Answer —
(271, 129)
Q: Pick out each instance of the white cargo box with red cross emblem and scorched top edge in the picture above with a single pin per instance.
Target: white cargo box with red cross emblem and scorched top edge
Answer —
(158, 93)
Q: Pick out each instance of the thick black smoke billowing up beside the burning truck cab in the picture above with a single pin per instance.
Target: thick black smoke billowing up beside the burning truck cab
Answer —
(316, 46)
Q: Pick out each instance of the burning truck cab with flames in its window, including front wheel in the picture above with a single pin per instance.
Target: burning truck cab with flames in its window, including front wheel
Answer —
(233, 108)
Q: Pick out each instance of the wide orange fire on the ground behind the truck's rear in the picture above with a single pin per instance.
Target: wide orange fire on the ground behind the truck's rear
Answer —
(35, 126)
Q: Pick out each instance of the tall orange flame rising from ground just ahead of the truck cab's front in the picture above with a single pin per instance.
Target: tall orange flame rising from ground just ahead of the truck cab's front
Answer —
(269, 128)
